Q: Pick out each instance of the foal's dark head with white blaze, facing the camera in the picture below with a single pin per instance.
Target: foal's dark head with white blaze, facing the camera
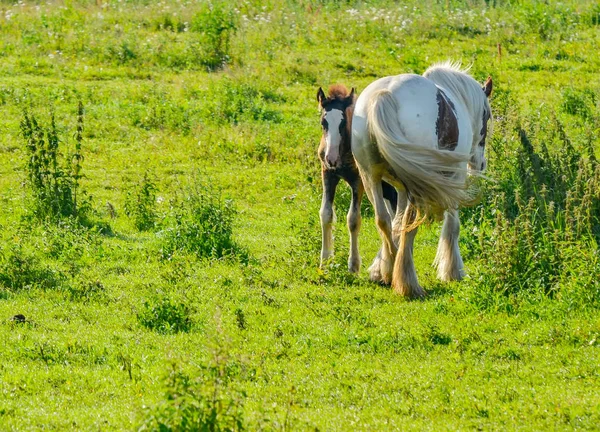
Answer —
(336, 116)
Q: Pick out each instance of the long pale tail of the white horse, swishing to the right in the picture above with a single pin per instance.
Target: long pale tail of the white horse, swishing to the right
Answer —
(435, 180)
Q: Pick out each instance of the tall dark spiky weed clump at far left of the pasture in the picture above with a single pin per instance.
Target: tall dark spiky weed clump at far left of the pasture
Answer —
(53, 177)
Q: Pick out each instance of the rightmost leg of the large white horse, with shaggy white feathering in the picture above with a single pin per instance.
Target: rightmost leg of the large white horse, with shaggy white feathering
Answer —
(448, 260)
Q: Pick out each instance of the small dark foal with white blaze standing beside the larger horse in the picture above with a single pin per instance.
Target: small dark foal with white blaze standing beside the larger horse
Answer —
(338, 163)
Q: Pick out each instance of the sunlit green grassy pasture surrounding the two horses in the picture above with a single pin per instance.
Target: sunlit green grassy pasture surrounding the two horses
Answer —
(160, 190)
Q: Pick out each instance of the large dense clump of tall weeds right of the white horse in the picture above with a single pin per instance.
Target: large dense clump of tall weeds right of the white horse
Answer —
(542, 211)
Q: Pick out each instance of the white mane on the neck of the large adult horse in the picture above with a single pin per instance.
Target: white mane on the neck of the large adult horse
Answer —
(450, 76)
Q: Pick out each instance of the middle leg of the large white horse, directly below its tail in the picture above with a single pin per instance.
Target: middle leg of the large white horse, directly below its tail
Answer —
(405, 281)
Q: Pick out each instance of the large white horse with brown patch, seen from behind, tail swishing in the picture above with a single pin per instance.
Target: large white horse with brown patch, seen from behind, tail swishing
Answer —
(424, 135)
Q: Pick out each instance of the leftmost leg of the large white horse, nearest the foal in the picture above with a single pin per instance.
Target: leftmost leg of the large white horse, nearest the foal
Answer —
(383, 265)
